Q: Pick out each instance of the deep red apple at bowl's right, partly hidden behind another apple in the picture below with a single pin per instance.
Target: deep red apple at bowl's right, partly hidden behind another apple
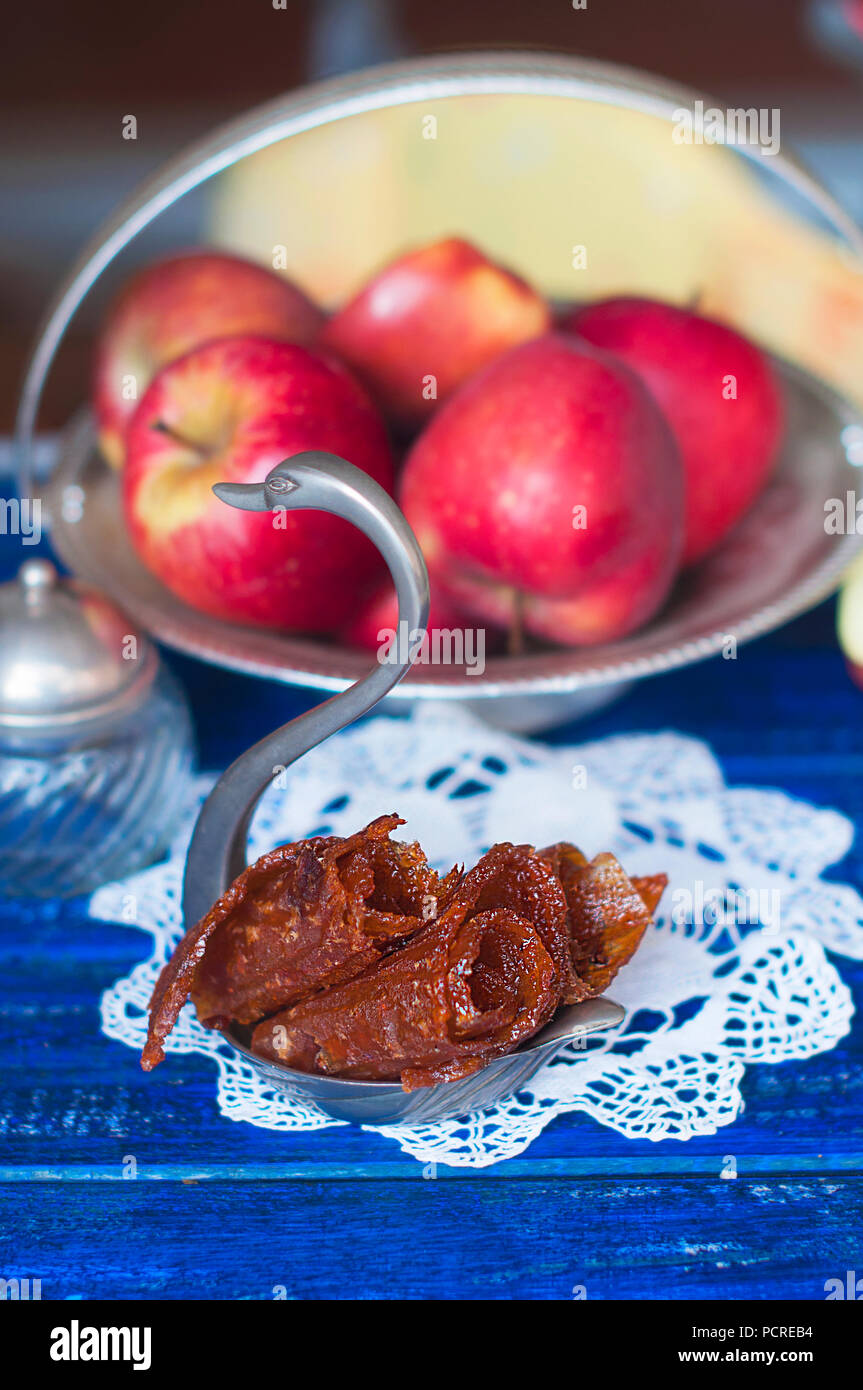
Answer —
(719, 394)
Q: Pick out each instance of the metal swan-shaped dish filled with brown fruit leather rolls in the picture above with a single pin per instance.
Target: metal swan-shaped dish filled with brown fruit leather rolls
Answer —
(345, 970)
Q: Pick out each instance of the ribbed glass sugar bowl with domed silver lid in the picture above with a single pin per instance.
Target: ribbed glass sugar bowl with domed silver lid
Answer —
(95, 740)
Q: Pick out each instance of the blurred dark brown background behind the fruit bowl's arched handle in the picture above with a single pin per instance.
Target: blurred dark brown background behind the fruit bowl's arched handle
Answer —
(183, 67)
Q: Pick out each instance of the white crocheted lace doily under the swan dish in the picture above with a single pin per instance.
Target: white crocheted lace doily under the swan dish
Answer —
(733, 974)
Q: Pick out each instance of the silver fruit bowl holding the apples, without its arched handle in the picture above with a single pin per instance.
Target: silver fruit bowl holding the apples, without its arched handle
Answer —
(778, 564)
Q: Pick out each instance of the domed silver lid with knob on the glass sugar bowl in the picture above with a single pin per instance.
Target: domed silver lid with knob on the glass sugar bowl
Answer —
(67, 654)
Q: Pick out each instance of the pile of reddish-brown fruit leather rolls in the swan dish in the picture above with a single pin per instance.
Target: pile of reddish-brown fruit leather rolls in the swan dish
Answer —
(354, 958)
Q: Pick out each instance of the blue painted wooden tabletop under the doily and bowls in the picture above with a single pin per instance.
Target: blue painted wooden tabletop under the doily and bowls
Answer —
(227, 1211)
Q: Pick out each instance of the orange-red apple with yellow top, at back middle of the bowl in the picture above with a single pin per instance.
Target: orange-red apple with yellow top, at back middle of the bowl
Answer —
(429, 322)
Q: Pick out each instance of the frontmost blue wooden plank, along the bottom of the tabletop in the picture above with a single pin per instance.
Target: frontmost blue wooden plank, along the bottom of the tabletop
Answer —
(666, 1241)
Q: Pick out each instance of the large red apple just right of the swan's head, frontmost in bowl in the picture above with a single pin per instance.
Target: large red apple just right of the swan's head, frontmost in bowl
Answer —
(548, 494)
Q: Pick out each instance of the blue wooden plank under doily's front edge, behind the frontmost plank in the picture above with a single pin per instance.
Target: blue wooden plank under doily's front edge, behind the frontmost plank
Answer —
(73, 1097)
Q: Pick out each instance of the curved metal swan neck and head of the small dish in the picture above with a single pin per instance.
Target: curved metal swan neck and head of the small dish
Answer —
(323, 483)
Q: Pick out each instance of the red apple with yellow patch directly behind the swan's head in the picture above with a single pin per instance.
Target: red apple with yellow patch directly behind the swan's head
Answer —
(230, 412)
